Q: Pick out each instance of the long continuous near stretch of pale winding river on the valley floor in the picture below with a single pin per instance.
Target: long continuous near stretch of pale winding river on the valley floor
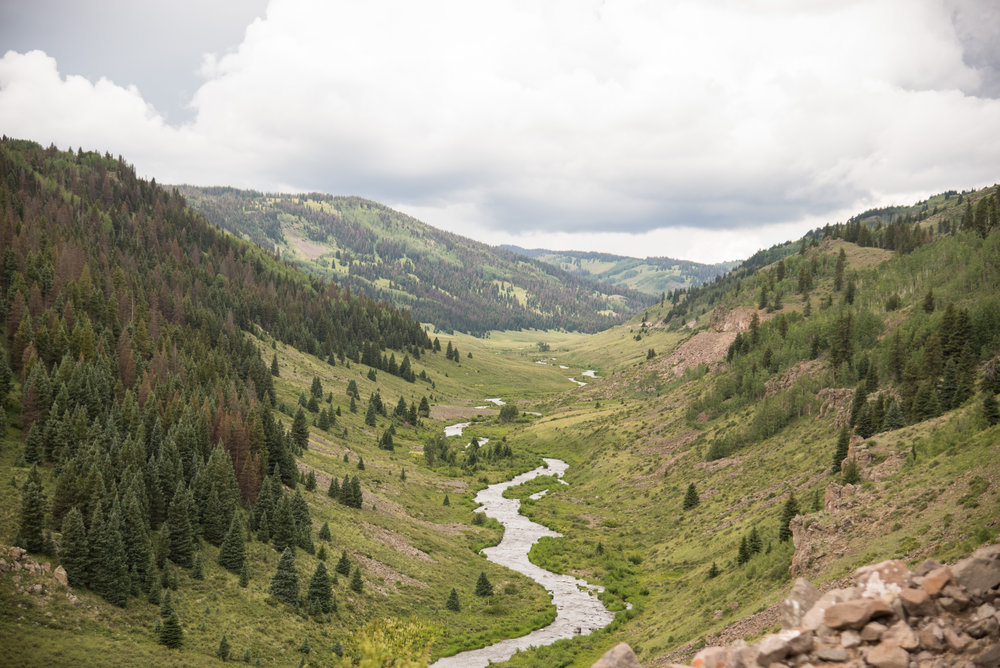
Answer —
(578, 610)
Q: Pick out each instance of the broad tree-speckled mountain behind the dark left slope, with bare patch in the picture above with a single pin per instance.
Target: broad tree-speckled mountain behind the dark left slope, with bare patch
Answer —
(442, 278)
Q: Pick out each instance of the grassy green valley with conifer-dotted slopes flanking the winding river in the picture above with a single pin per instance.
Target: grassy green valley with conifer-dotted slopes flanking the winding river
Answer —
(825, 405)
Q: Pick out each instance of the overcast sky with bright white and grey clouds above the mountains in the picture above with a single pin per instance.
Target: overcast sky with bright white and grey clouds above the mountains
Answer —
(701, 130)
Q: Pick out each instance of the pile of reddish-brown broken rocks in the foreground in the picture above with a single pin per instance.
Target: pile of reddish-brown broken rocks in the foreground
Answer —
(936, 617)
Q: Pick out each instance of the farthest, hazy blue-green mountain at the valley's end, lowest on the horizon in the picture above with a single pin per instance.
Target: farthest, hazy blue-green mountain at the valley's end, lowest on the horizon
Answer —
(652, 275)
